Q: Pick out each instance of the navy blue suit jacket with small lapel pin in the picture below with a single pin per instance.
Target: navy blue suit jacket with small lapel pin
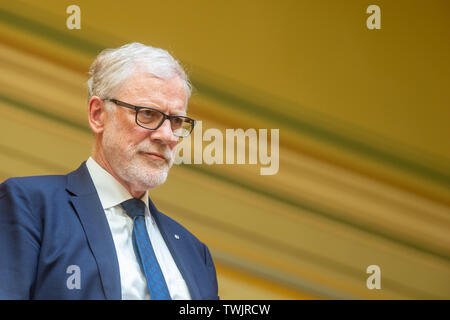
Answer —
(49, 223)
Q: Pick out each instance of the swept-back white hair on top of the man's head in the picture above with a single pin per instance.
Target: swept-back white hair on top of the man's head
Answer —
(113, 67)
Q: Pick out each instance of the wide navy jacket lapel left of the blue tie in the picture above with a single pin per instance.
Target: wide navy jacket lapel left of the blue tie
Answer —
(95, 225)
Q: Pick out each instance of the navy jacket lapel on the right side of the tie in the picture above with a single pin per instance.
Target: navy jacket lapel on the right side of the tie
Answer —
(177, 250)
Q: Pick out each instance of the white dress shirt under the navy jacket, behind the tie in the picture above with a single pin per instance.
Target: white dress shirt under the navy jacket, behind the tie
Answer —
(132, 279)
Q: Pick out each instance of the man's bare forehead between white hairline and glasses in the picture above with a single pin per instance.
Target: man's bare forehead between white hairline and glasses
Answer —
(143, 88)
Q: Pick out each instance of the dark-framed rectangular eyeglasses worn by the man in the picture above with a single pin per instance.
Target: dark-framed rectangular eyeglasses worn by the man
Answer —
(152, 119)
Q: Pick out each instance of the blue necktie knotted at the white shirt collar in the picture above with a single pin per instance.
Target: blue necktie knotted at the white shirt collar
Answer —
(143, 250)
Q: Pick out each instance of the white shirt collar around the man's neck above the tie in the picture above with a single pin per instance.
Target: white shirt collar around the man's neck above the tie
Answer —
(110, 191)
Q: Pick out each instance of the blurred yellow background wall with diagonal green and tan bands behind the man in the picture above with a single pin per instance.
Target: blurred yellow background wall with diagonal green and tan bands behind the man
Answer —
(364, 175)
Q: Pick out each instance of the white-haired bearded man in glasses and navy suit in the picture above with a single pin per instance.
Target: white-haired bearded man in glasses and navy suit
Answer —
(95, 233)
